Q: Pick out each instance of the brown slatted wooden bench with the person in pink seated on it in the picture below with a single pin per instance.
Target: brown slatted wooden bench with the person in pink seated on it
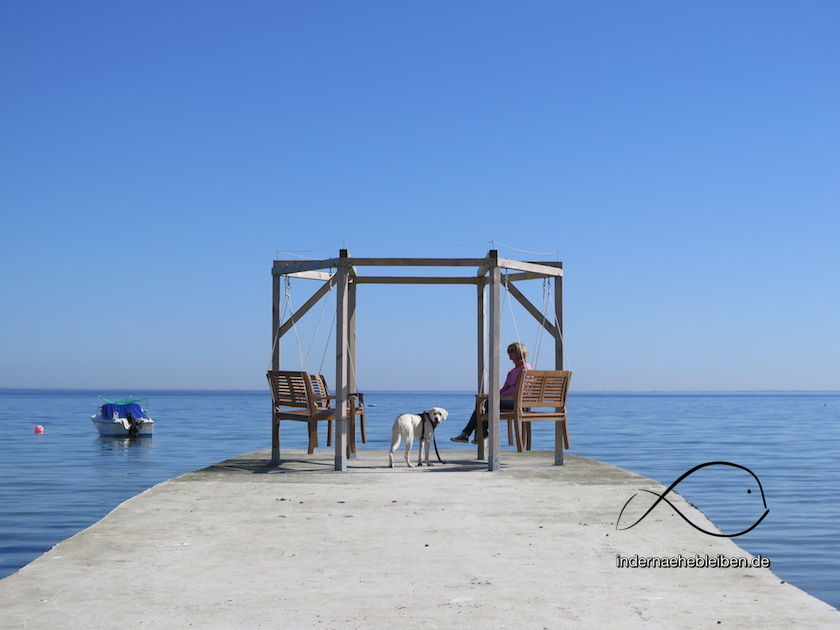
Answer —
(540, 396)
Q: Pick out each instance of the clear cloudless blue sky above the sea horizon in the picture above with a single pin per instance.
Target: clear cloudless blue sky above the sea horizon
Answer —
(681, 159)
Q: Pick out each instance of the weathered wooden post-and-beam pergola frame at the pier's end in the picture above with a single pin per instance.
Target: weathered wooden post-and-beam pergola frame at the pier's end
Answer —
(343, 273)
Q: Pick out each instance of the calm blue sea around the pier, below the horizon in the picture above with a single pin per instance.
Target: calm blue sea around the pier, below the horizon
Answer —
(55, 484)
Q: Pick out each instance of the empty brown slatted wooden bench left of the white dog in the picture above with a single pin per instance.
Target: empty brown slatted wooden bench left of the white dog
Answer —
(305, 397)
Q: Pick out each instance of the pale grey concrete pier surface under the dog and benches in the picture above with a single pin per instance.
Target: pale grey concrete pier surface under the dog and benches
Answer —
(245, 545)
